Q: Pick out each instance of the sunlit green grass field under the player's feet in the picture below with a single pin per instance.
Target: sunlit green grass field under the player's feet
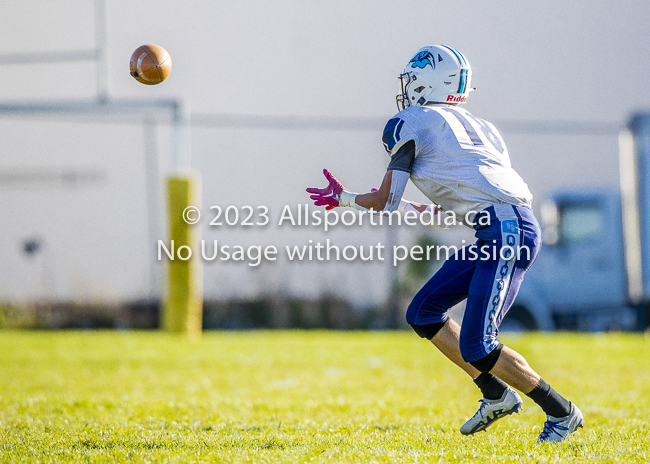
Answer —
(303, 396)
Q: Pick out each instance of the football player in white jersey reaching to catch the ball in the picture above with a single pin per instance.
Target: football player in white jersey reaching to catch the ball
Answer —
(460, 162)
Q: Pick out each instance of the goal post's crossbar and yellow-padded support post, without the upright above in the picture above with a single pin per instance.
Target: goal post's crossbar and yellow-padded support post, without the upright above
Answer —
(182, 298)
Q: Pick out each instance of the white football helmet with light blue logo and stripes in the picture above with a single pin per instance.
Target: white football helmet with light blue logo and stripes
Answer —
(436, 73)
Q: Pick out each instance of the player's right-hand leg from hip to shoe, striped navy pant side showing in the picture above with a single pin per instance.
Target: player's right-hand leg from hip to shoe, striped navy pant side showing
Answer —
(494, 286)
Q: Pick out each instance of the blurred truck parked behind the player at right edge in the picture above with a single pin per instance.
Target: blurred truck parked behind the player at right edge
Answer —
(593, 272)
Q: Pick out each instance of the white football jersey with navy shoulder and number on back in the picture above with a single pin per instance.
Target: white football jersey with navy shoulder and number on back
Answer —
(461, 162)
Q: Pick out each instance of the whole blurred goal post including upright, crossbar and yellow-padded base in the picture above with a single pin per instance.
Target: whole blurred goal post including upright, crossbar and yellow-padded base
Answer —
(182, 299)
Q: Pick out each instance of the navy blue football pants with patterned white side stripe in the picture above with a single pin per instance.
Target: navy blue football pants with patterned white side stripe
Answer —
(488, 274)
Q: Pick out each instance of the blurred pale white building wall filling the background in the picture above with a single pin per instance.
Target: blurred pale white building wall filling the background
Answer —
(555, 61)
